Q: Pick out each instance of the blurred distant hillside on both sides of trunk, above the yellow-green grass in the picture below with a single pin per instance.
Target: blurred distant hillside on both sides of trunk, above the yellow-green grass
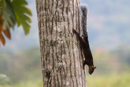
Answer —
(27, 64)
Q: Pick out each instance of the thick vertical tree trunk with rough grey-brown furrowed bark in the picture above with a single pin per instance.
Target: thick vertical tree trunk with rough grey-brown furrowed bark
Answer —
(60, 52)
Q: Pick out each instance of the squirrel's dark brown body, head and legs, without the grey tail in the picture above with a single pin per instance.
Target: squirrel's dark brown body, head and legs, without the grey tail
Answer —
(86, 52)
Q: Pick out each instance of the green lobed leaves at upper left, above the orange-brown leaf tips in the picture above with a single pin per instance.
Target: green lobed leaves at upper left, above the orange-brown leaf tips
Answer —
(15, 11)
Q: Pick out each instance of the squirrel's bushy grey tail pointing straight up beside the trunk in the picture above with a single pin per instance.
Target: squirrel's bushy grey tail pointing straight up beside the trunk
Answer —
(84, 20)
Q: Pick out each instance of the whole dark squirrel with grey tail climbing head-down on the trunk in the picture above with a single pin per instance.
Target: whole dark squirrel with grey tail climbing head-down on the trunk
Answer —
(84, 43)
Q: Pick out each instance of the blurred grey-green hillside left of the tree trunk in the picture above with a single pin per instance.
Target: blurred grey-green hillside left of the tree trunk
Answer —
(21, 66)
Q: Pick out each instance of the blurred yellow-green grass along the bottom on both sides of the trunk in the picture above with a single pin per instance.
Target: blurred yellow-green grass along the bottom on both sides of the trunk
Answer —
(110, 80)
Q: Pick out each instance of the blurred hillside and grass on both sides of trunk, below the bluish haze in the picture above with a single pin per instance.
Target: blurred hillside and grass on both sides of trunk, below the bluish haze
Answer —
(24, 68)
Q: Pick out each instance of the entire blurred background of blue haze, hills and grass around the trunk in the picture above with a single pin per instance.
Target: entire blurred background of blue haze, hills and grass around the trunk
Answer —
(108, 27)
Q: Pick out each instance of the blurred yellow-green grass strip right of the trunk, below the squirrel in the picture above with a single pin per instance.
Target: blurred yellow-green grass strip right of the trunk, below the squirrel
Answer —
(110, 80)
